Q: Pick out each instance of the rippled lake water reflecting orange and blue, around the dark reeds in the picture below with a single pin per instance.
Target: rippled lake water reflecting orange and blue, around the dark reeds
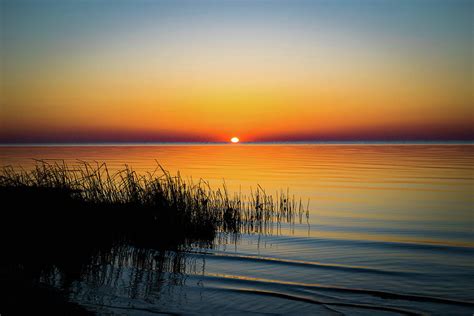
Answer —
(390, 231)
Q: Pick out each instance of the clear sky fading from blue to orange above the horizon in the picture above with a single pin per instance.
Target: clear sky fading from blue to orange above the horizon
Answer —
(149, 70)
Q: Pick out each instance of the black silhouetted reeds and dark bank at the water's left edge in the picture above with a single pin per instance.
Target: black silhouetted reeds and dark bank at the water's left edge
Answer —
(59, 220)
